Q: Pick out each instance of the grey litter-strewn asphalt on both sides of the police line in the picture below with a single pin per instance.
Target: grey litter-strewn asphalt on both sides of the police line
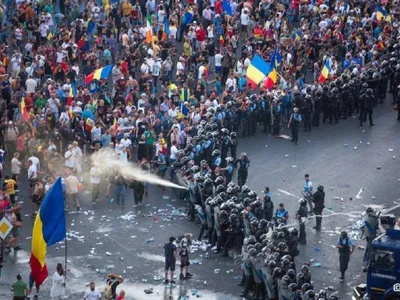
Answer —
(343, 157)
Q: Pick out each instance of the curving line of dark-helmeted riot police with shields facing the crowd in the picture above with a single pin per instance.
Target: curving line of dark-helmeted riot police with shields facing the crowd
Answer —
(234, 217)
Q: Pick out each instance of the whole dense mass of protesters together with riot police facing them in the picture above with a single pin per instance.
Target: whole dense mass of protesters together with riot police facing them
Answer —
(177, 99)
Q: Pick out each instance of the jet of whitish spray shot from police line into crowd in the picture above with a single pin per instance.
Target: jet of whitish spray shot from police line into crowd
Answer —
(109, 162)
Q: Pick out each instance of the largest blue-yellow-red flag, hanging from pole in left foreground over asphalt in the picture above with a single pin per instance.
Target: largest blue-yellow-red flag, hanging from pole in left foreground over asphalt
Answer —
(49, 228)
